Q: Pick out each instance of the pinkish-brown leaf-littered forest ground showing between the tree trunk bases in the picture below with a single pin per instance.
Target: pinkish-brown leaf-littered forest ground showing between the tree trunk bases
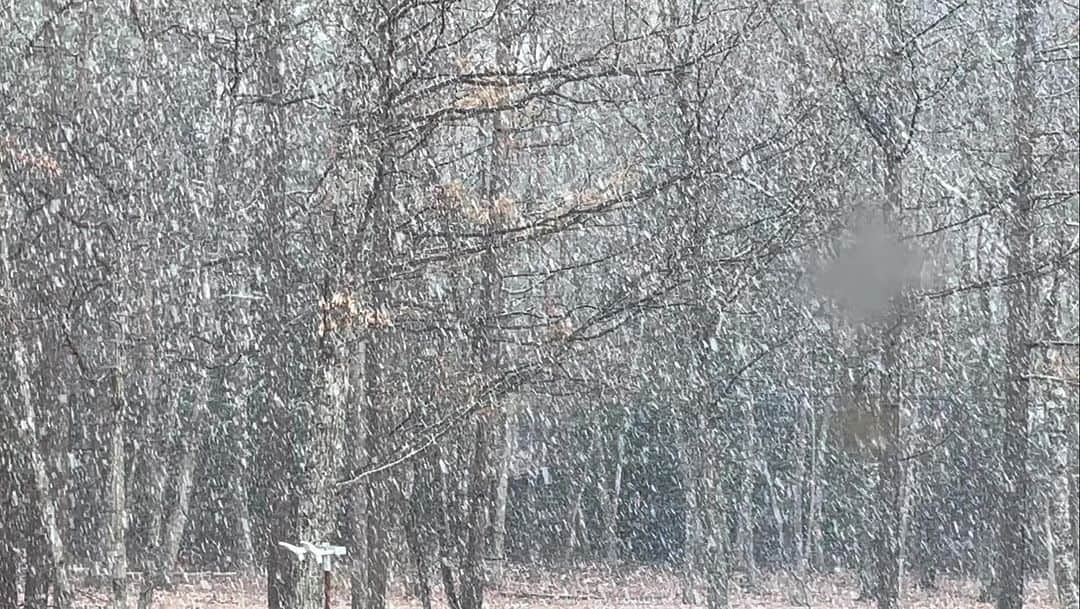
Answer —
(589, 589)
